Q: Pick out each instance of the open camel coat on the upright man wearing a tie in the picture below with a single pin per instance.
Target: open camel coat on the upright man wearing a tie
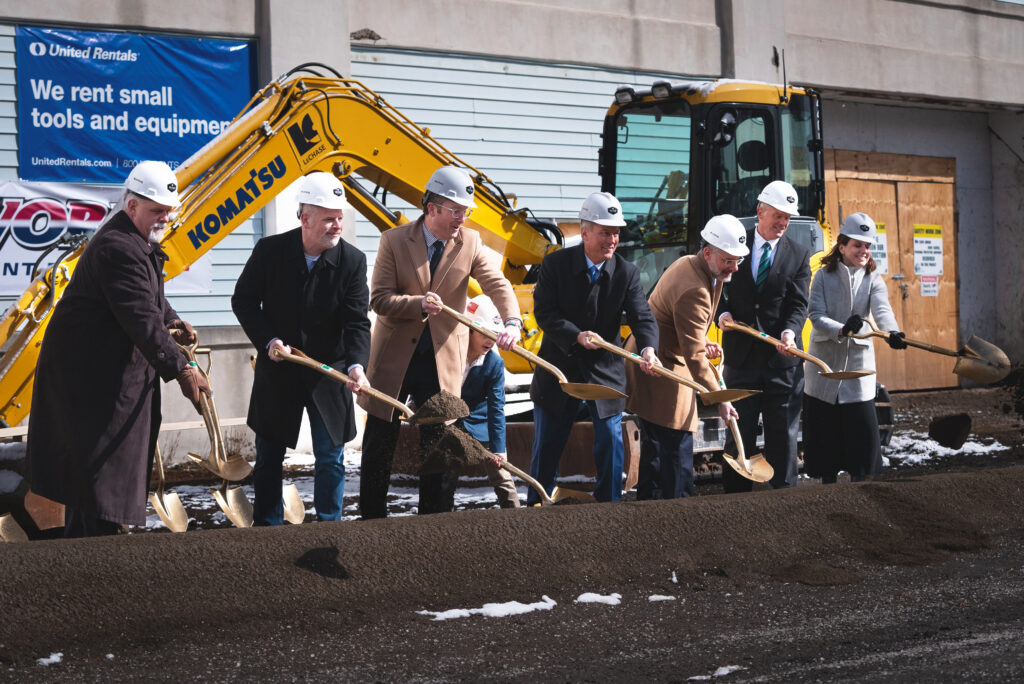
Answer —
(401, 281)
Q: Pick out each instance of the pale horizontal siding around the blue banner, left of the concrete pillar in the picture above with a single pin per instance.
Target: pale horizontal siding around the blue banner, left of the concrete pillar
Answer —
(229, 258)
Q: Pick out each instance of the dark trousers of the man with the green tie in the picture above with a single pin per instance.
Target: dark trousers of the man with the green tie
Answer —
(779, 407)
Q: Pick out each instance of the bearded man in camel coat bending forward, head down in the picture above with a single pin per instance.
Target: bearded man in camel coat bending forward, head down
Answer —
(684, 303)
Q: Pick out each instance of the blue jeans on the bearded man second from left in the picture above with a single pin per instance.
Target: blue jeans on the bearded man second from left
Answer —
(329, 476)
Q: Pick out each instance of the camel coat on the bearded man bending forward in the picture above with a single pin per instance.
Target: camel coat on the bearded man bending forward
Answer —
(684, 304)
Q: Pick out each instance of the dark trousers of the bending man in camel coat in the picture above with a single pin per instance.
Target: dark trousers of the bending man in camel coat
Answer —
(666, 462)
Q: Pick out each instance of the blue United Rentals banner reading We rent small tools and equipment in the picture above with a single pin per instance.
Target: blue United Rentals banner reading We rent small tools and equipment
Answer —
(93, 105)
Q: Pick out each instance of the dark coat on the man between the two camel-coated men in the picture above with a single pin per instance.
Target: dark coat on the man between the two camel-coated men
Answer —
(566, 304)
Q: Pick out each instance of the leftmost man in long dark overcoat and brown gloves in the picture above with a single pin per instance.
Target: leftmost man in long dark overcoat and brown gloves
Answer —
(96, 408)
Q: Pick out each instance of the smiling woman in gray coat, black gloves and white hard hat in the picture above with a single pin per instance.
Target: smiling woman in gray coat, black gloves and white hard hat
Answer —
(841, 431)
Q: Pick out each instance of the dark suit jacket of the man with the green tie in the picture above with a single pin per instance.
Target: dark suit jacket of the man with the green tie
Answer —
(782, 305)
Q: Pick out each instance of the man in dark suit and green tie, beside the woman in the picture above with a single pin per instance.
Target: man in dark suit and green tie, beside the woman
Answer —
(772, 296)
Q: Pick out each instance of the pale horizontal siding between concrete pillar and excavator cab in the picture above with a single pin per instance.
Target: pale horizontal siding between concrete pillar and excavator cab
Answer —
(534, 129)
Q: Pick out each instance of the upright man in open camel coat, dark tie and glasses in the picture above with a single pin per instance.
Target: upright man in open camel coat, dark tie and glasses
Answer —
(415, 353)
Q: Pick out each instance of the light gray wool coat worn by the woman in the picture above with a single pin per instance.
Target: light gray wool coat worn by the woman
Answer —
(831, 305)
